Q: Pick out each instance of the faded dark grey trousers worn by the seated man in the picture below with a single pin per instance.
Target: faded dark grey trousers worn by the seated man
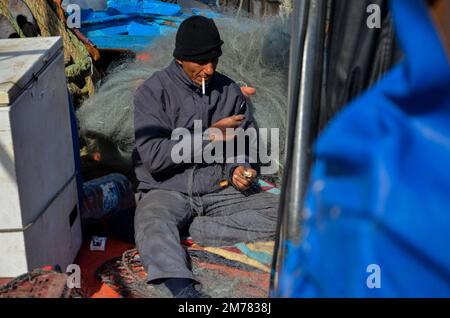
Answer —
(218, 219)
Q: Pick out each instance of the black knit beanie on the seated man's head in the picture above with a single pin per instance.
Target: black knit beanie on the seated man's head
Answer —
(198, 39)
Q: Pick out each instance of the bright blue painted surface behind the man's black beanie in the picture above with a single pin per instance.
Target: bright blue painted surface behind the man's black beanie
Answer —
(134, 24)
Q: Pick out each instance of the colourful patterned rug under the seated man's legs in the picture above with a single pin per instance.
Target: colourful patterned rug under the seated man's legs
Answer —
(239, 271)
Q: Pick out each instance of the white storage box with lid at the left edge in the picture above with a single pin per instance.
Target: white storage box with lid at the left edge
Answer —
(39, 217)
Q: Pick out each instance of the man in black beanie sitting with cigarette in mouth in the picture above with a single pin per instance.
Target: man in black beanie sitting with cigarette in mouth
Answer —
(211, 200)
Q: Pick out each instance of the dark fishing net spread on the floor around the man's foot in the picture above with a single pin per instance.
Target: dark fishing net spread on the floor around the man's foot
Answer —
(219, 277)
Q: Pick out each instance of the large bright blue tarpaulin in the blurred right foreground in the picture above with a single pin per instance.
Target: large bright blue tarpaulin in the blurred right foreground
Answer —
(377, 213)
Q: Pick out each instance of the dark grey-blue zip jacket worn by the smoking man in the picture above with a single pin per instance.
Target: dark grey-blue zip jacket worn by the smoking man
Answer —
(170, 100)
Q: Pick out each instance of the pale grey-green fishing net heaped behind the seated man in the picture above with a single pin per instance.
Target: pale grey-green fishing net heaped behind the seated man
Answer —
(255, 54)
